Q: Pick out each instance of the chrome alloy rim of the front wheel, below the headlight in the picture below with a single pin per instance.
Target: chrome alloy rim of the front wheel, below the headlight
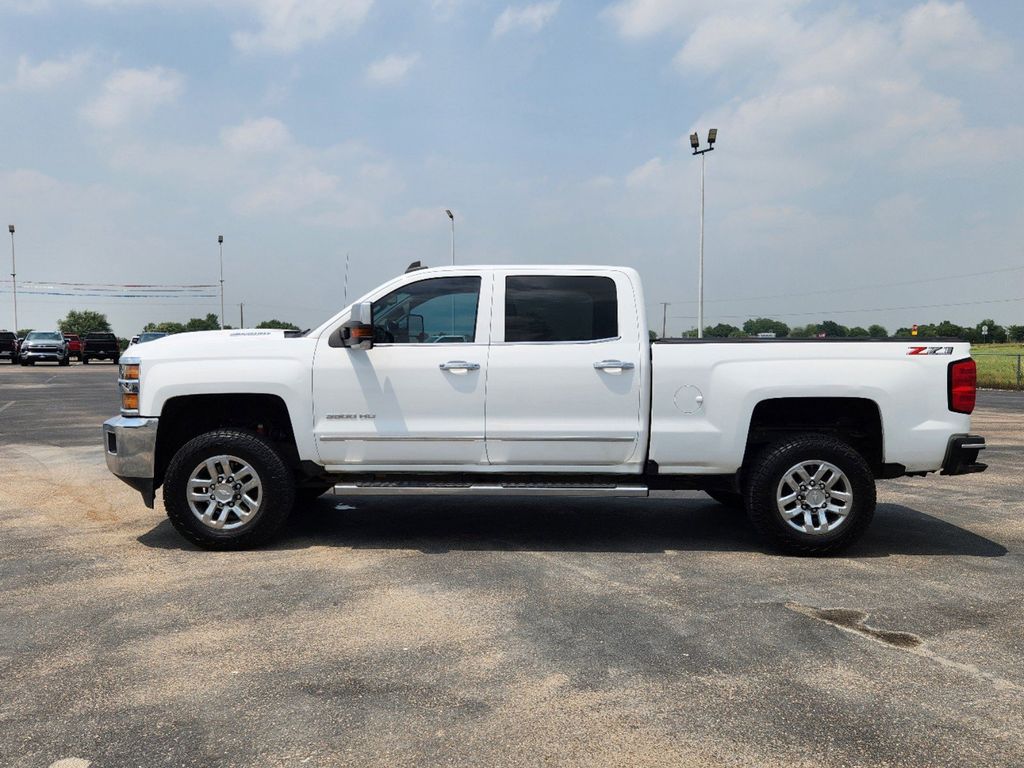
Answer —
(225, 493)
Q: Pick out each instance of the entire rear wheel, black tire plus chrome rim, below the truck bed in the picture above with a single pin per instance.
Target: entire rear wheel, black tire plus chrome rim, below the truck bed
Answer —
(773, 481)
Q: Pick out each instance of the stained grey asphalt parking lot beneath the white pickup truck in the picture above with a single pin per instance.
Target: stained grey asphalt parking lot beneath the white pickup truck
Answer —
(447, 631)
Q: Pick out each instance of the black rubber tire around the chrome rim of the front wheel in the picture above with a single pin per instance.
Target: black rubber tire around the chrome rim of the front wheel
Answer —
(277, 490)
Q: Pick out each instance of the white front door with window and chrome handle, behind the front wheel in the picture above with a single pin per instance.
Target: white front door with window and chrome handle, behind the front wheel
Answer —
(416, 399)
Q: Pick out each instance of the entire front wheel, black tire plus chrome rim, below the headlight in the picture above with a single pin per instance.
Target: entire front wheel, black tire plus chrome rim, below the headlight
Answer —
(274, 502)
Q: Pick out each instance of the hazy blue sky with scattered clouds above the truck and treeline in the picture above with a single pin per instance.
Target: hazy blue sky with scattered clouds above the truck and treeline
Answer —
(869, 153)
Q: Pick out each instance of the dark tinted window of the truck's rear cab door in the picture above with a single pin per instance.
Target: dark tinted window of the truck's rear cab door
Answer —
(561, 309)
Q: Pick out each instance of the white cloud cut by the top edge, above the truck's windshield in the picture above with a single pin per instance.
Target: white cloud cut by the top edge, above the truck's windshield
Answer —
(288, 25)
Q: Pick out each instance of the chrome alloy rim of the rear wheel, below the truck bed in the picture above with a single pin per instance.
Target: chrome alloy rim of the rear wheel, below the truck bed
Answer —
(815, 497)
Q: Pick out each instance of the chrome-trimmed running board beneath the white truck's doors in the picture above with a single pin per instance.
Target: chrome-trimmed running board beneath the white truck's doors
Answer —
(489, 489)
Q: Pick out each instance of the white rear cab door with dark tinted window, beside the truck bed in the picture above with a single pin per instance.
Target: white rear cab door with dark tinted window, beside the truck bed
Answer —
(565, 373)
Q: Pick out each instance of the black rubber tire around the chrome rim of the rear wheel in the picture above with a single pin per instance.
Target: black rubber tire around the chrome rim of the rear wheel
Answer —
(763, 488)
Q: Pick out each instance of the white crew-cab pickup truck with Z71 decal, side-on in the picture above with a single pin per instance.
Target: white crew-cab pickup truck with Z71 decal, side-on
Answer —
(537, 381)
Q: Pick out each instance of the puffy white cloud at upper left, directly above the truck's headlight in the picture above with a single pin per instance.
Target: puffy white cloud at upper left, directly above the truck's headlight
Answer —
(130, 95)
